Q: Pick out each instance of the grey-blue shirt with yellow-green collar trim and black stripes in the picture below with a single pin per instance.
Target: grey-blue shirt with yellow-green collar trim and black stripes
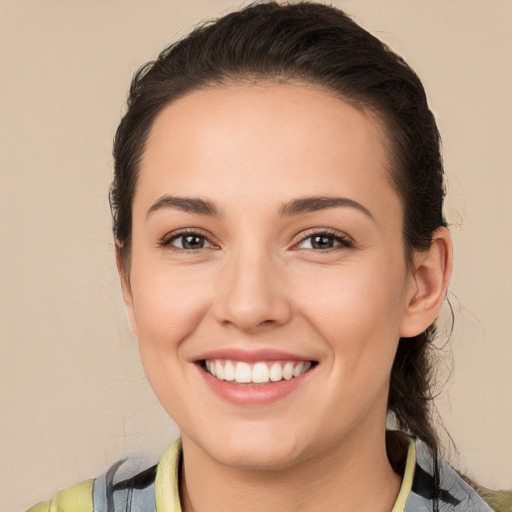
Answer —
(156, 489)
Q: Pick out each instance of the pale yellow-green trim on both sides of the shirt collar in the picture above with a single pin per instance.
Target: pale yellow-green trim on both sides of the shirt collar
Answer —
(167, 493)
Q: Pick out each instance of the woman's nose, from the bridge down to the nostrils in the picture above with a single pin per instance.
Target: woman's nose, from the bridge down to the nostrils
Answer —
(254, 295)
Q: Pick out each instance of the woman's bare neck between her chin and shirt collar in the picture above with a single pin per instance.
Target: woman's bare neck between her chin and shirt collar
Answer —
(354, 476)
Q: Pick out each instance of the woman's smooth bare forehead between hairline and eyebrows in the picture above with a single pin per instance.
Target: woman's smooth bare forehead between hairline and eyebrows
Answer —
(264, 138)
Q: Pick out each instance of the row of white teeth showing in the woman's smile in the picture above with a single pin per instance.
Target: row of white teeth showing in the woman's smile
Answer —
(260, 372)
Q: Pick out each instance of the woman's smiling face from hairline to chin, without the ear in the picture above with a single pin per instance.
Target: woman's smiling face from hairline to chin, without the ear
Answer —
(267, 239)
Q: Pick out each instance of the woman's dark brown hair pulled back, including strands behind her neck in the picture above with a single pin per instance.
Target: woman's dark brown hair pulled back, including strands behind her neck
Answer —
(318, 45)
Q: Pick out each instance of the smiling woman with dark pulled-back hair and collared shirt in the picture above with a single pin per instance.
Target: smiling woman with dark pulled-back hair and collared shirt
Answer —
(277, 208)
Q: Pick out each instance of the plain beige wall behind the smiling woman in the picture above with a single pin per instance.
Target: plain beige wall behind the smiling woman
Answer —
(73, 396)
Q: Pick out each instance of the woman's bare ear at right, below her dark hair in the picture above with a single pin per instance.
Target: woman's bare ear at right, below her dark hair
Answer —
(429, 284)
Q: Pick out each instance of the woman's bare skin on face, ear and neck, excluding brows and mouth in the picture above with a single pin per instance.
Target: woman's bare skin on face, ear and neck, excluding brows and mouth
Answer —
(258, 283)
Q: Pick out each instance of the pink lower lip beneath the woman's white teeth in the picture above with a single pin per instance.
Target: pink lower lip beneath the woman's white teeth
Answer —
(252, 394)
